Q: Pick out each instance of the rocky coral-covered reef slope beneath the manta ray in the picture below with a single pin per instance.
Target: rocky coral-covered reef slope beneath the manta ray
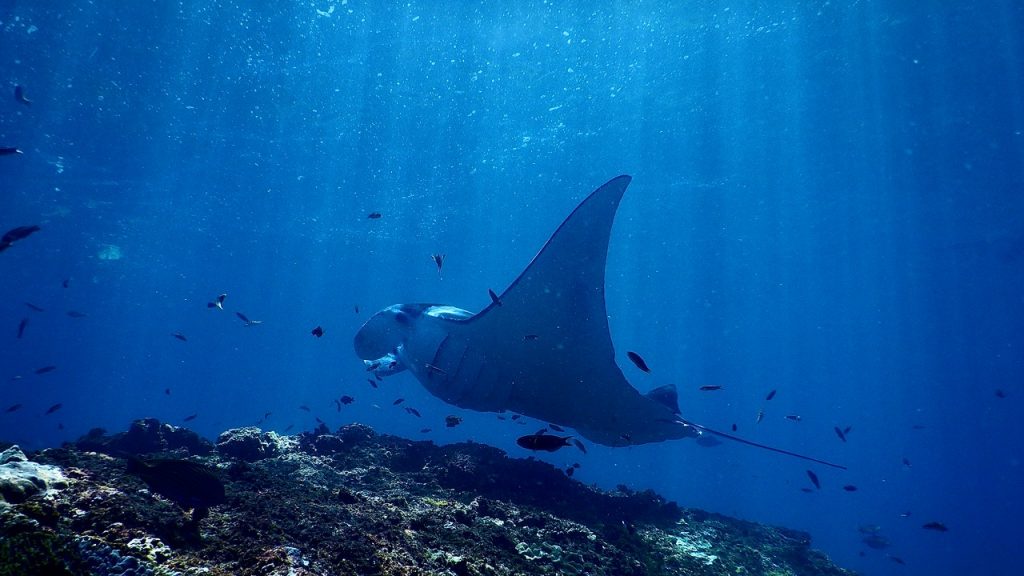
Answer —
(356, 503)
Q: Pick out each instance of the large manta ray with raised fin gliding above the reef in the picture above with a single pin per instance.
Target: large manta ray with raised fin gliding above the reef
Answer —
(543, 349)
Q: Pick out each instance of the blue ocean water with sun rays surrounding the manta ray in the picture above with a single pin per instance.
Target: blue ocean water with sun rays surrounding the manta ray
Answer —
(827, 202)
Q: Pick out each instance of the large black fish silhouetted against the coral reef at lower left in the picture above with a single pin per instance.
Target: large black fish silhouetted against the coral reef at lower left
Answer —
(188, 484)
